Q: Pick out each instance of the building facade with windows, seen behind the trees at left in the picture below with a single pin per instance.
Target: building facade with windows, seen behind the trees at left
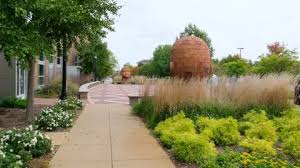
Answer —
(13, 79)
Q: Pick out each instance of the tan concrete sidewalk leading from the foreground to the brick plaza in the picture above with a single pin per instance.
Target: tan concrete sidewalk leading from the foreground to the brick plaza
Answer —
(109, 136)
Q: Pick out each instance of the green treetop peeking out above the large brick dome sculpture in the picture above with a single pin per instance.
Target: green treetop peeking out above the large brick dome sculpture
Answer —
(193, 30)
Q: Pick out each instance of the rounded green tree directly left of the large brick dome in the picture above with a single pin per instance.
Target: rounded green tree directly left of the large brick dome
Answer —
(161, 61)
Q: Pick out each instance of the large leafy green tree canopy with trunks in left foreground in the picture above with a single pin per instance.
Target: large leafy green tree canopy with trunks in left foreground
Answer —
(28, 28)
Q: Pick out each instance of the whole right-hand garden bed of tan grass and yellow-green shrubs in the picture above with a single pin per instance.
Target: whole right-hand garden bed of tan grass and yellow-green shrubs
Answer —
(250, 122)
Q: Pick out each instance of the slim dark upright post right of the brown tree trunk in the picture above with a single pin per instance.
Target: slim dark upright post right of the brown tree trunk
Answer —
(63, 95)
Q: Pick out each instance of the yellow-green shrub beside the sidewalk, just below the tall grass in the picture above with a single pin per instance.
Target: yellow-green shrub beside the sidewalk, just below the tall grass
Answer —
(174, 128)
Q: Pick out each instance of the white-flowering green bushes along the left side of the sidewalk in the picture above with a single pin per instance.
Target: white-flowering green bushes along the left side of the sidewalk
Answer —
(18, 147)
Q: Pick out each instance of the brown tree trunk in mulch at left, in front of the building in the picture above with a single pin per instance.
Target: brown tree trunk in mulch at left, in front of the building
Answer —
(30, 90)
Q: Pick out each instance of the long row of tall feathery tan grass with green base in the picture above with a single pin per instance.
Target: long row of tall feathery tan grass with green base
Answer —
(197, 97)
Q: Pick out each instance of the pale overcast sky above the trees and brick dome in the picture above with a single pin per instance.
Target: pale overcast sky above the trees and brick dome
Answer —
(251, 24)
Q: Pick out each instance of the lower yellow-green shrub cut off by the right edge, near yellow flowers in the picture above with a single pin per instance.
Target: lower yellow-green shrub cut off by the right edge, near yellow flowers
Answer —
(291, 145)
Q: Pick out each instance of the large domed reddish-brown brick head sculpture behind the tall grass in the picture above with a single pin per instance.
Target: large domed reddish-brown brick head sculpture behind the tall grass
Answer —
(190, 57)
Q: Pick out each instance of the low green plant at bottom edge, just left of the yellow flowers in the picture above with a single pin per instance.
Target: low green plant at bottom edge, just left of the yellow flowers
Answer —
(229, 159)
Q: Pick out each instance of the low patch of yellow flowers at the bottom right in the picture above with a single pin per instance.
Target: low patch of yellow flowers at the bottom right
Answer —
(257, 160)
